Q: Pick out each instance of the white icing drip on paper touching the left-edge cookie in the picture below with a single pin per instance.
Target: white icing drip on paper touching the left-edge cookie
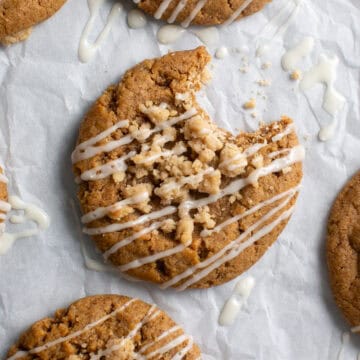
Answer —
(31, 213)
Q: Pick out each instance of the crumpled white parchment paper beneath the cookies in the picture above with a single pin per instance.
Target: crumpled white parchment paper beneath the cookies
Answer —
(45, 91)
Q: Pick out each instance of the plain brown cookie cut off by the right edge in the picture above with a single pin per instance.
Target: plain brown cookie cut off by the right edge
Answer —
(343, 250)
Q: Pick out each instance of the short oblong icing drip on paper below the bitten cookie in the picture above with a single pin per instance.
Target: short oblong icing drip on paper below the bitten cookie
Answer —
(234, 304)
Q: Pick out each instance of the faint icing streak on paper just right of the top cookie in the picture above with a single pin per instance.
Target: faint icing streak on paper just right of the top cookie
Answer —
(277, 26)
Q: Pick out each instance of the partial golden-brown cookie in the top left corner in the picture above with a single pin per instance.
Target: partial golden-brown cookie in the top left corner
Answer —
(18, 16)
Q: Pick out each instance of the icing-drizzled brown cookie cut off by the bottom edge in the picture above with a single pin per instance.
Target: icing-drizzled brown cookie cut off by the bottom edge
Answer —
(110, 327)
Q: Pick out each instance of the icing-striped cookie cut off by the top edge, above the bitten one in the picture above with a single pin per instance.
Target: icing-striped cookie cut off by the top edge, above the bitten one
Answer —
(201, 12)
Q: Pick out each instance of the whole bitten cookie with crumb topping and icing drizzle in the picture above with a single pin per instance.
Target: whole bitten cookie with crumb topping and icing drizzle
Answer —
(169, 197)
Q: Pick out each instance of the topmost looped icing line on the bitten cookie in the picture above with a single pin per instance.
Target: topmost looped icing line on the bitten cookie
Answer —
(87, 149)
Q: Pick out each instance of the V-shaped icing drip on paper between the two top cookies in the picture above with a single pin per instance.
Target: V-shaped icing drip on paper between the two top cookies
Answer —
(87, 50)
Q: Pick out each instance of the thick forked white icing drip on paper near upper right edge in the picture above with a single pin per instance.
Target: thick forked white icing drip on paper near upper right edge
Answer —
(325, 73)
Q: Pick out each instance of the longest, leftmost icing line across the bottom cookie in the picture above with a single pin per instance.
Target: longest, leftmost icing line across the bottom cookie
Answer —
(73, 335)
